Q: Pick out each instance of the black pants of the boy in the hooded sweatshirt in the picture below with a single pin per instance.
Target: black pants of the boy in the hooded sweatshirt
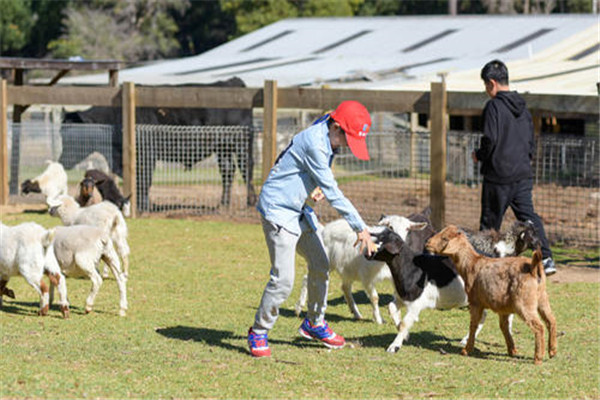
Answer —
(495, 199)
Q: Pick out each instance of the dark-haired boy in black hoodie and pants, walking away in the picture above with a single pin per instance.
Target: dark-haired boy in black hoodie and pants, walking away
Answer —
(505, 153)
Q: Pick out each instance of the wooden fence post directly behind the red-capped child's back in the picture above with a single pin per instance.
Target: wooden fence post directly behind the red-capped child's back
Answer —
(269, 127)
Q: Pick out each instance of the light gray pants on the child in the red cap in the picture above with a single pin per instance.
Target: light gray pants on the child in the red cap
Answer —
(282, 247)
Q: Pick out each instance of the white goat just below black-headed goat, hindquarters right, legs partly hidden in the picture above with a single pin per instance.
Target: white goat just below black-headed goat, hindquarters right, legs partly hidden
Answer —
(104, 215)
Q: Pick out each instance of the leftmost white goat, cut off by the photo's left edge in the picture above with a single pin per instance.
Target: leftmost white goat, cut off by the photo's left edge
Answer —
(25, 251)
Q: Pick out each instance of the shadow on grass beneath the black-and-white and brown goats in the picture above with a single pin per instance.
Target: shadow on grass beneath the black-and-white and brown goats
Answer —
(442, 345)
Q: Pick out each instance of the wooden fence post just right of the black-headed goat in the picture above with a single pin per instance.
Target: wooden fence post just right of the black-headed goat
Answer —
(129, 153)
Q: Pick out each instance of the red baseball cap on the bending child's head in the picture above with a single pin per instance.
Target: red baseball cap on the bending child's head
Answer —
(355, 120)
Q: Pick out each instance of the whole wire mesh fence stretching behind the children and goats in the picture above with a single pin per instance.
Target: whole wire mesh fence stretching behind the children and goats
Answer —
(196, 170)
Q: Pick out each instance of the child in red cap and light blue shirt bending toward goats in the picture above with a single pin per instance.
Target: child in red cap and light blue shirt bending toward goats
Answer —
(301, 172)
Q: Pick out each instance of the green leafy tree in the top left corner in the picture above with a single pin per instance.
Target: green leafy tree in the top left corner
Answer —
(16, 21)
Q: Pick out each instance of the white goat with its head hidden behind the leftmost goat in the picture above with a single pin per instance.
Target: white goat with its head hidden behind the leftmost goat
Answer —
(79, 249)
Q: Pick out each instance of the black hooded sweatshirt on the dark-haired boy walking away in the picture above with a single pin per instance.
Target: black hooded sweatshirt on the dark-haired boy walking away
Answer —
(507, 144)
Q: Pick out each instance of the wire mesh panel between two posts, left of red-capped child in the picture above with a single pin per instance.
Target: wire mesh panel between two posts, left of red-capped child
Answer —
(195, 169)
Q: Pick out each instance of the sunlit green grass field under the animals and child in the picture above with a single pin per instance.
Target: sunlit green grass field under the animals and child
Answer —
(193, 290)
